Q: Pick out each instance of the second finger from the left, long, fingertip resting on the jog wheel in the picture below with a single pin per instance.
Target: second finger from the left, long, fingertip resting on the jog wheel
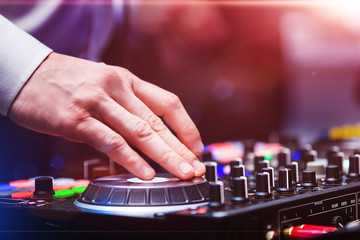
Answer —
(139, 134)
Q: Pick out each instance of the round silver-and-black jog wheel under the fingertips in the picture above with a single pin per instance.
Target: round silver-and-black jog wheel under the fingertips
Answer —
(128, 195)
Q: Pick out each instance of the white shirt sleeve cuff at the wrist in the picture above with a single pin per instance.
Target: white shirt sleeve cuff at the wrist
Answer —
(20, 55)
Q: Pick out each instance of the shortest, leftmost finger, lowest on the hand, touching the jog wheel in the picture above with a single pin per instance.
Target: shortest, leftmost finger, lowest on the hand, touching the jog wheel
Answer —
(113, 145)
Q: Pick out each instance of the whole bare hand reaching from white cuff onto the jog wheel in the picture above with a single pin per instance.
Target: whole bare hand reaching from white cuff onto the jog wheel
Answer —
(110, 108)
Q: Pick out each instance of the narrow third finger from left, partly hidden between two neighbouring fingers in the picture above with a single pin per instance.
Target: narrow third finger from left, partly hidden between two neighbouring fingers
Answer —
(135, 106)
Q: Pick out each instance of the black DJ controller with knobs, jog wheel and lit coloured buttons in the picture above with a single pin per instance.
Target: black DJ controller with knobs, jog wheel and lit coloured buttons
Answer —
(267, 192)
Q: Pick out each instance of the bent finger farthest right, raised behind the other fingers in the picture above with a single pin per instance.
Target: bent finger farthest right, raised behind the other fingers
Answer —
(168, 105)
